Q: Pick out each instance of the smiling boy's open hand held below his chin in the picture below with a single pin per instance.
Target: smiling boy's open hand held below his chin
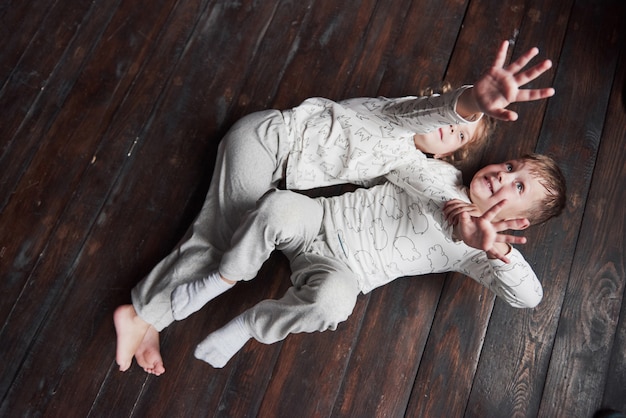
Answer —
(481, 231)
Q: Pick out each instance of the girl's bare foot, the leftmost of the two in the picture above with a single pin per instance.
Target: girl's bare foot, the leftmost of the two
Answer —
(130, 330)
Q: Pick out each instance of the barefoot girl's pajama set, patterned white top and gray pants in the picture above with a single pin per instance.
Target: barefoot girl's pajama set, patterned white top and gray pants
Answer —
(318, 143)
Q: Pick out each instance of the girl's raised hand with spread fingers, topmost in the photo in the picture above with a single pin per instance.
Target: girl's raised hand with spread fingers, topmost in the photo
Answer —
(500, 86)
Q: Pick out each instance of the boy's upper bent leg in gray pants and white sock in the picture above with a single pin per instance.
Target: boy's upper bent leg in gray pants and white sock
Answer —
(283, 220)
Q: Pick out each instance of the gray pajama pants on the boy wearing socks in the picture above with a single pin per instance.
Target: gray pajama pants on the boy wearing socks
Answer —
(324, 290)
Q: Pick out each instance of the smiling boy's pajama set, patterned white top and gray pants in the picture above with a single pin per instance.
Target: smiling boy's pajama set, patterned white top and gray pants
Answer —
(341, 246)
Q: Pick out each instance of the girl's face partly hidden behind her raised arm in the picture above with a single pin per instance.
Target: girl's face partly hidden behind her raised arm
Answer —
(446, 140)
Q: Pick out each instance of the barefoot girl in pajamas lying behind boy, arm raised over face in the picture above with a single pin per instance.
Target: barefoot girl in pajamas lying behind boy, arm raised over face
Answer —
(319, 143)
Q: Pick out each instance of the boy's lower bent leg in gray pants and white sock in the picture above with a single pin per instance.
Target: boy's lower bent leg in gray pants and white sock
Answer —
(323, 295)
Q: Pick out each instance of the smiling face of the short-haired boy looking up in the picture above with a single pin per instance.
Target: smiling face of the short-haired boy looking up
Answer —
(512, 181)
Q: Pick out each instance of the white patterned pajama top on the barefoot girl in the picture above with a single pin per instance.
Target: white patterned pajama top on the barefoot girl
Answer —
(363, 138)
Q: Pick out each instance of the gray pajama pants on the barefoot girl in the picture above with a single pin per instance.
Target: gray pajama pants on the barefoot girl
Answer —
(250, 161)
